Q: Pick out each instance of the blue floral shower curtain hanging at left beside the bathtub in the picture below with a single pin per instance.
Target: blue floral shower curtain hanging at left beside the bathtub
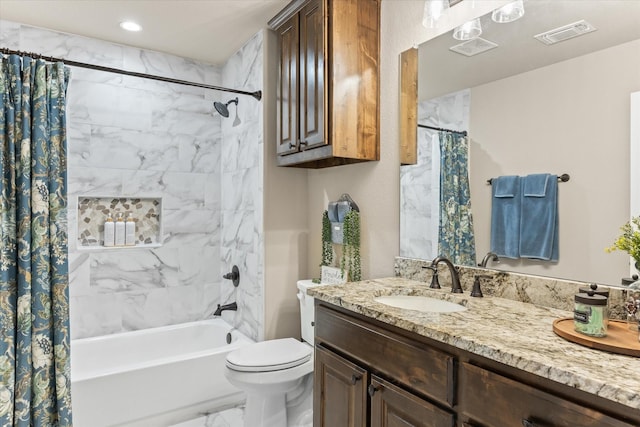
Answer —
(35, 386)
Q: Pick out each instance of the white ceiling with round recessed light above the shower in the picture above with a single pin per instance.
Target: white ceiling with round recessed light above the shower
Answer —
(205, 30)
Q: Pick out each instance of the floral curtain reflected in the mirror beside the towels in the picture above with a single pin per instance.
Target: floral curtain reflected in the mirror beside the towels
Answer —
(456, 239)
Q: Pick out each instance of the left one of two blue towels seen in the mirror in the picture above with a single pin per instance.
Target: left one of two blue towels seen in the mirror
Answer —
(505, 216)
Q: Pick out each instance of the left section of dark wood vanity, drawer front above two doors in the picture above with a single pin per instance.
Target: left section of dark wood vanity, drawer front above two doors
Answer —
(361, 367)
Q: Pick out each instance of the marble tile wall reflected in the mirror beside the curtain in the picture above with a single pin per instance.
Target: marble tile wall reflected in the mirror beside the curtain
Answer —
(419, 183)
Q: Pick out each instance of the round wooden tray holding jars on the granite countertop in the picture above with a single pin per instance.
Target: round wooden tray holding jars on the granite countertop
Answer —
(619, 338)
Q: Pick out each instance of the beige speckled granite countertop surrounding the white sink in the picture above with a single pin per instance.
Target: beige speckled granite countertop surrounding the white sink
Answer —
(514, 333)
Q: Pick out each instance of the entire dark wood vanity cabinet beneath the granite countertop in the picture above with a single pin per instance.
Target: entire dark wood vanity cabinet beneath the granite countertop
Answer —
(368, 373)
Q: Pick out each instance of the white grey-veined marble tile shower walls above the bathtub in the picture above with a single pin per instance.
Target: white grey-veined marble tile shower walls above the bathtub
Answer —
(136, 137)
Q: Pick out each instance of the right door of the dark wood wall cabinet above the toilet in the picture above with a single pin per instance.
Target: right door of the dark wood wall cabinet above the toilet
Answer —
(312, 74)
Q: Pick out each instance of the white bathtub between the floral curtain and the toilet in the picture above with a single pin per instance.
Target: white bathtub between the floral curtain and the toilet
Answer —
(153, 377)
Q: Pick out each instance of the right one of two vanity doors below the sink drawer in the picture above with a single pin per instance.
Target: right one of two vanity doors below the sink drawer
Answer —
(392, 406)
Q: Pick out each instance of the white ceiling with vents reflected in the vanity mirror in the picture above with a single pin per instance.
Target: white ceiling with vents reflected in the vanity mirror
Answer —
(617, 22)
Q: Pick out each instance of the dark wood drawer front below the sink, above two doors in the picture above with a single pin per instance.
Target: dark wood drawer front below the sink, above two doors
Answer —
(415, 365)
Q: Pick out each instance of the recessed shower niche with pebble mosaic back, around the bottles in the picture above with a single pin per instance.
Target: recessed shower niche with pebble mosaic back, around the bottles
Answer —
(93, 212)
